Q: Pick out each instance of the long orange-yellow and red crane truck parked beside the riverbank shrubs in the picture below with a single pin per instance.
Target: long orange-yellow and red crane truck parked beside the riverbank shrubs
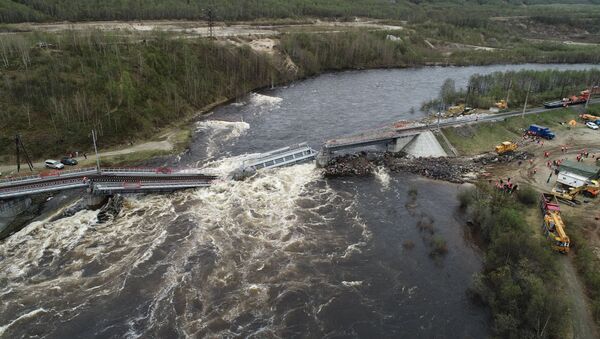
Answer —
(554, 227)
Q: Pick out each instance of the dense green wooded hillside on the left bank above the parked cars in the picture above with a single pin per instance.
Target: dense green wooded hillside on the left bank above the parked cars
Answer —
(55, 94)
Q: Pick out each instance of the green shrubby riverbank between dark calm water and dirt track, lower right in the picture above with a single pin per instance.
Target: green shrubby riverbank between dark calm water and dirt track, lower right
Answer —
(520, 280)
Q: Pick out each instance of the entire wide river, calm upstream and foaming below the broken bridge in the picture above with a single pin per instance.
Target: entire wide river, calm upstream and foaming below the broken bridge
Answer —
(283, 254)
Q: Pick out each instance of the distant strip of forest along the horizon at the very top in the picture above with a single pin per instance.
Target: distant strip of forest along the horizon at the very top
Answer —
(235, 10)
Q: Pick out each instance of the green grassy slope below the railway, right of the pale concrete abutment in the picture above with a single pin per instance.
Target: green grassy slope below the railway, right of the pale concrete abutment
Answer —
(482, 137)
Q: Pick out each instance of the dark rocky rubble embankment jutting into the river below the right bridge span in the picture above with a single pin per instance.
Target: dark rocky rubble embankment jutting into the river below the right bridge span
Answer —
(457, 170)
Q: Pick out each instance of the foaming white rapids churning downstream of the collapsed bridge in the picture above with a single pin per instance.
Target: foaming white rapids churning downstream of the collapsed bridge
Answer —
(244, 226)
